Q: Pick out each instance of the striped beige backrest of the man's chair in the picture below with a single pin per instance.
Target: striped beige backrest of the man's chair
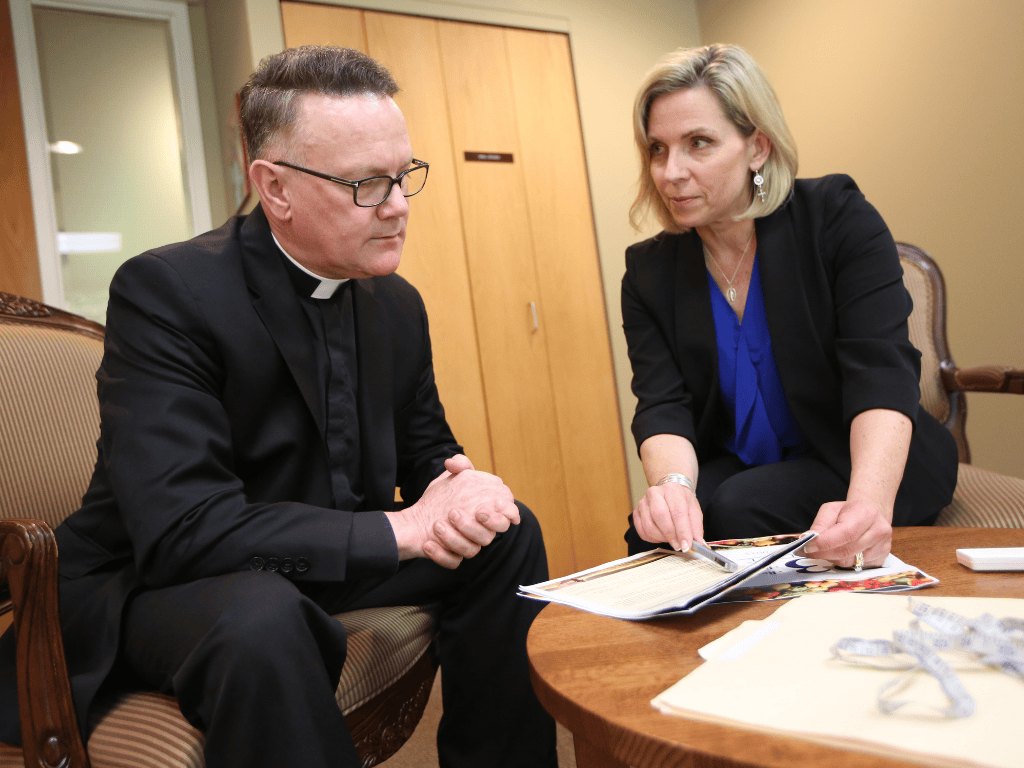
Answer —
(49, 409)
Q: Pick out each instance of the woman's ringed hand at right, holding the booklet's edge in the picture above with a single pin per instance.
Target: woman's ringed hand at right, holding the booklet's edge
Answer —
(846, 529)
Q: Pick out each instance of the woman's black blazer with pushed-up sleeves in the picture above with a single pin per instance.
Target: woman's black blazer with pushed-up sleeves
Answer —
(837, 313)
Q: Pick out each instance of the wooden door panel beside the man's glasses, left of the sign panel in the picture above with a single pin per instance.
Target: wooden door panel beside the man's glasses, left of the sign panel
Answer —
(435, 259)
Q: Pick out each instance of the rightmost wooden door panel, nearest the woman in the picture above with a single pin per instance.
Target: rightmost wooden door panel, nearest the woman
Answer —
(572, 293)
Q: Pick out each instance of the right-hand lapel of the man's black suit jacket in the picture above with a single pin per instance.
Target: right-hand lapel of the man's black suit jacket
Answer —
(375, 398)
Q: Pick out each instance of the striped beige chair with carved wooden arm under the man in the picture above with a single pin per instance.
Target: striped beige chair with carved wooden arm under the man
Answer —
(51, 421)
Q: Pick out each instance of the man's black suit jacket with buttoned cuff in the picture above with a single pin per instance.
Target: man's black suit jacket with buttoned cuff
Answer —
(212, 457)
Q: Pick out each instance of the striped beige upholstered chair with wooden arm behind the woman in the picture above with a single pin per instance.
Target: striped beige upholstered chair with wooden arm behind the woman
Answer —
(983, 498)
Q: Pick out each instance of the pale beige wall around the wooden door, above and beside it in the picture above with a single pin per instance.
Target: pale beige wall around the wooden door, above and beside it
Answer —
(614, 45)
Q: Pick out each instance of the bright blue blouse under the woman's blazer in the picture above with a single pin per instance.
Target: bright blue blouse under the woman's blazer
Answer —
(765, 431)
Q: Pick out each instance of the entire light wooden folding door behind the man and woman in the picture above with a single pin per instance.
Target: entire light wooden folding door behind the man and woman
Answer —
(501, 245)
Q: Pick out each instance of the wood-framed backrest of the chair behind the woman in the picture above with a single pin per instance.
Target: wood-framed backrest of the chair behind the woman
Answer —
(928, 332)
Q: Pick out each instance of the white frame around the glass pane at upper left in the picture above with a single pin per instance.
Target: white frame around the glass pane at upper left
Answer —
(37, 146)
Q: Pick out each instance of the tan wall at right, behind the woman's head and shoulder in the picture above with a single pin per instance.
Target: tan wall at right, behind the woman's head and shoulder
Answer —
(921, 103)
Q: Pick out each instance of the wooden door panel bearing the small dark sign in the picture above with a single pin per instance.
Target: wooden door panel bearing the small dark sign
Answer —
(496, 221)
